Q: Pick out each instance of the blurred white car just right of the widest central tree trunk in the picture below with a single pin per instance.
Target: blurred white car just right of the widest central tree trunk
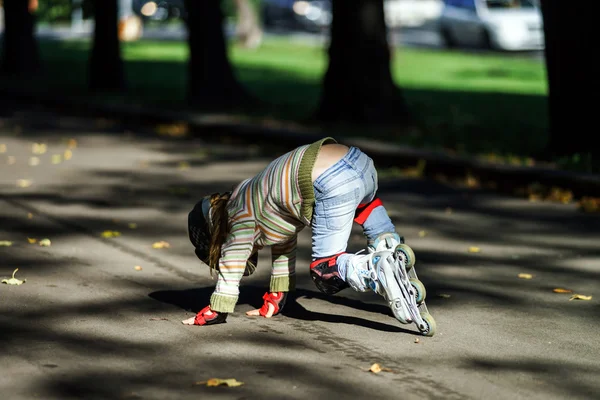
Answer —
(411, 13)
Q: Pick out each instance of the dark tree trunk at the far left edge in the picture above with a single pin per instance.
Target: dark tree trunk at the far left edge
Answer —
(20, 50)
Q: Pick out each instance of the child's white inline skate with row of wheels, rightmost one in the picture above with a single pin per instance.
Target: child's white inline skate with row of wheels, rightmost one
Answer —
(412, 288)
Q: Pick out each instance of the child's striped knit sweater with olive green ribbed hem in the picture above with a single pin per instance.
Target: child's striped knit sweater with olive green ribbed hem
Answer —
(267, 210)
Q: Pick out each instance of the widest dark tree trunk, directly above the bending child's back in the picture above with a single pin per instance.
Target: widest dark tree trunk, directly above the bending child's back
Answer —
(358, 85)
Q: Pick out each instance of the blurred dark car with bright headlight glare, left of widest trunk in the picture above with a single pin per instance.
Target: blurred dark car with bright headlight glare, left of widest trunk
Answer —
(309, 15)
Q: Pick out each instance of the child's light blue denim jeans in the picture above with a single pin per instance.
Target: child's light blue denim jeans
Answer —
(339, 191)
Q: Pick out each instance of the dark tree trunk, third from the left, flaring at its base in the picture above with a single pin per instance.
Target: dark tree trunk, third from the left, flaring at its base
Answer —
(212, 84)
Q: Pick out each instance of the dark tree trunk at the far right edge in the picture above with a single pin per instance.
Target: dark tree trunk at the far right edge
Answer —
(572, 80)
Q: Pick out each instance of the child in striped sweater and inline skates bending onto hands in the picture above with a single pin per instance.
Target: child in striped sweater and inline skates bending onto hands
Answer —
(324, 185)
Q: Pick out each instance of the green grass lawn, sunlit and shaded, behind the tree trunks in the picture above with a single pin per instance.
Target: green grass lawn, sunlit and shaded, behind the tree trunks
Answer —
(473, 103)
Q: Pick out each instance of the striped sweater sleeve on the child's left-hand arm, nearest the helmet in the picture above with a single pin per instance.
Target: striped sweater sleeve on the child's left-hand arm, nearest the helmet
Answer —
(234, 253)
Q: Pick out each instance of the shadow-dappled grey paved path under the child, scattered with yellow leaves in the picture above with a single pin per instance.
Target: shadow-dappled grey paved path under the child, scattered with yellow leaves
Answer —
(86, 324)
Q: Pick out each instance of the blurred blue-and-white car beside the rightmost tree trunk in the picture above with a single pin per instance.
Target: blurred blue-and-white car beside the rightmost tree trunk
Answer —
(510, 25)
